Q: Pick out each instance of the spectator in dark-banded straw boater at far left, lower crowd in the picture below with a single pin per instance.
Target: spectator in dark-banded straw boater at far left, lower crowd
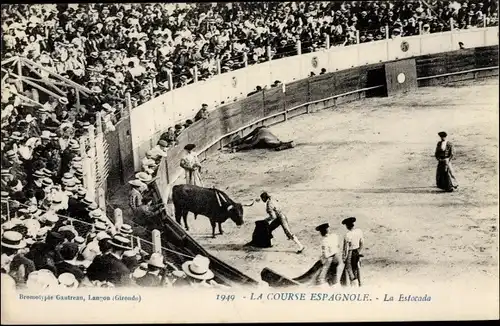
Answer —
(12, 260)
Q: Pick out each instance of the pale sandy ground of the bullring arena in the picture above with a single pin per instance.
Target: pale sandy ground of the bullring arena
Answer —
(373, 159)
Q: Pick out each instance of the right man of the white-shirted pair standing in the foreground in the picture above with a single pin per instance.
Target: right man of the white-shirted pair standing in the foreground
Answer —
(353, 244)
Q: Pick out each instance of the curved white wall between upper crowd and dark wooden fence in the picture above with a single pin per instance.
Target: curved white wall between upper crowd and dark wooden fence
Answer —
(180, 104)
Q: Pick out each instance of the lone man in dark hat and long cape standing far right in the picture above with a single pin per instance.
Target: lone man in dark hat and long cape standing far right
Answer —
(444, 153)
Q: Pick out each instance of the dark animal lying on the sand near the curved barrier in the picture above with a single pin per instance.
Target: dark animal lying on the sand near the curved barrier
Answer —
(260, 137)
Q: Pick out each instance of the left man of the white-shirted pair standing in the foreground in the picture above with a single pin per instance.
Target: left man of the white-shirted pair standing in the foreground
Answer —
(329, 256)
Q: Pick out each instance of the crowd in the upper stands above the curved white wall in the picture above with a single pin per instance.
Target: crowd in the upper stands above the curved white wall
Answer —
(120, 48)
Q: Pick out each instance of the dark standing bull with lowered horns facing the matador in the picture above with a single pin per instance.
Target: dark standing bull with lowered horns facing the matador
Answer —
(210, 202)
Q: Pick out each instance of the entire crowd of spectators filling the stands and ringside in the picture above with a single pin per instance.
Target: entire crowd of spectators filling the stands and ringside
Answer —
(115, 49)
